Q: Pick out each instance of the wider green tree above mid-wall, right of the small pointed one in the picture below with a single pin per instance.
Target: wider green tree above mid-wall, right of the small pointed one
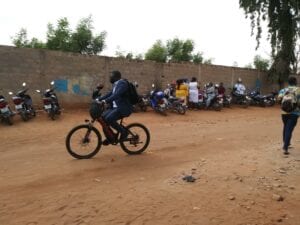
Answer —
(180, 50)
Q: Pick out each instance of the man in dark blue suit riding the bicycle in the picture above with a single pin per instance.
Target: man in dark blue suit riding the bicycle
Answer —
(119, 104)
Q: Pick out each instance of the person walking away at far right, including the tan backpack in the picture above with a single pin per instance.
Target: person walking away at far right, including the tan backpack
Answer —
(290, 104)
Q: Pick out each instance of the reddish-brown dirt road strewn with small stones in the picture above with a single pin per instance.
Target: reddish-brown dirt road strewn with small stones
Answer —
(234, 154)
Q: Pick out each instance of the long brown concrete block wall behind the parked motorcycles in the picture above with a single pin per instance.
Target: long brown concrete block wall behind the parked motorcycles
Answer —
(76, 75)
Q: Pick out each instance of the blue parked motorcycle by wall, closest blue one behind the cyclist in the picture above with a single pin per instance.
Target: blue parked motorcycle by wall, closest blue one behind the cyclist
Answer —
(158, 101)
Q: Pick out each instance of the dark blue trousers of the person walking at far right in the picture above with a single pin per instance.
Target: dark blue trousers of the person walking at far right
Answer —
(289, 123)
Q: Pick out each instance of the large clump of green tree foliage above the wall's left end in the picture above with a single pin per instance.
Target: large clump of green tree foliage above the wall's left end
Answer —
(61, 37)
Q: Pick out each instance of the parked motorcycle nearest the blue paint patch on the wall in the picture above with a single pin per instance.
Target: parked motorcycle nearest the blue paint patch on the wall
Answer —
(51, 105)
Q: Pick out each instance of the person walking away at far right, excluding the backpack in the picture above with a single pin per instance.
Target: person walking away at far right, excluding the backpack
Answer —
(289, 119)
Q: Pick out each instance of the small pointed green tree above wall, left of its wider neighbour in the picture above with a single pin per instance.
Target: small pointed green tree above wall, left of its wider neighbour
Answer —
(158, 52)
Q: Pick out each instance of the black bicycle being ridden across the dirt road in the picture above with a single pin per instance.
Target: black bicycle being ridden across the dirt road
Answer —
(138, 136)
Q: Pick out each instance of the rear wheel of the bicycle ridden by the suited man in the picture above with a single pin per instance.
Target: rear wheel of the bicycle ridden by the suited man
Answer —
(137, 140)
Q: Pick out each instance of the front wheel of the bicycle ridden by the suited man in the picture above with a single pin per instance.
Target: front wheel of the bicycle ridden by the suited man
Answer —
(83, 142)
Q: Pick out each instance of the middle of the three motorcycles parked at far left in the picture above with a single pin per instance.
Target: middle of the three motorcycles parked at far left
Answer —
(23, 104)
